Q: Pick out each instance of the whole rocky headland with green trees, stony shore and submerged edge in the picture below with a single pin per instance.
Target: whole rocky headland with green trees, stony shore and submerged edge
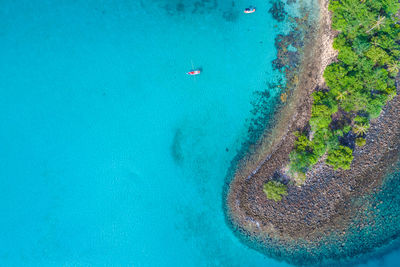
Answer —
(307, 193)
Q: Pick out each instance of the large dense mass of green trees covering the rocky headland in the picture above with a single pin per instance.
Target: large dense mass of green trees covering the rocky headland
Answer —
(359, 84)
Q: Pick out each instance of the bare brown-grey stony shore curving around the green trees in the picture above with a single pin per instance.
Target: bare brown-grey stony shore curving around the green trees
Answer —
(316, 222)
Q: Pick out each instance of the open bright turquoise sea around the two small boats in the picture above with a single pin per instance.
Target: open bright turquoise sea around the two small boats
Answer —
(109, 153)
